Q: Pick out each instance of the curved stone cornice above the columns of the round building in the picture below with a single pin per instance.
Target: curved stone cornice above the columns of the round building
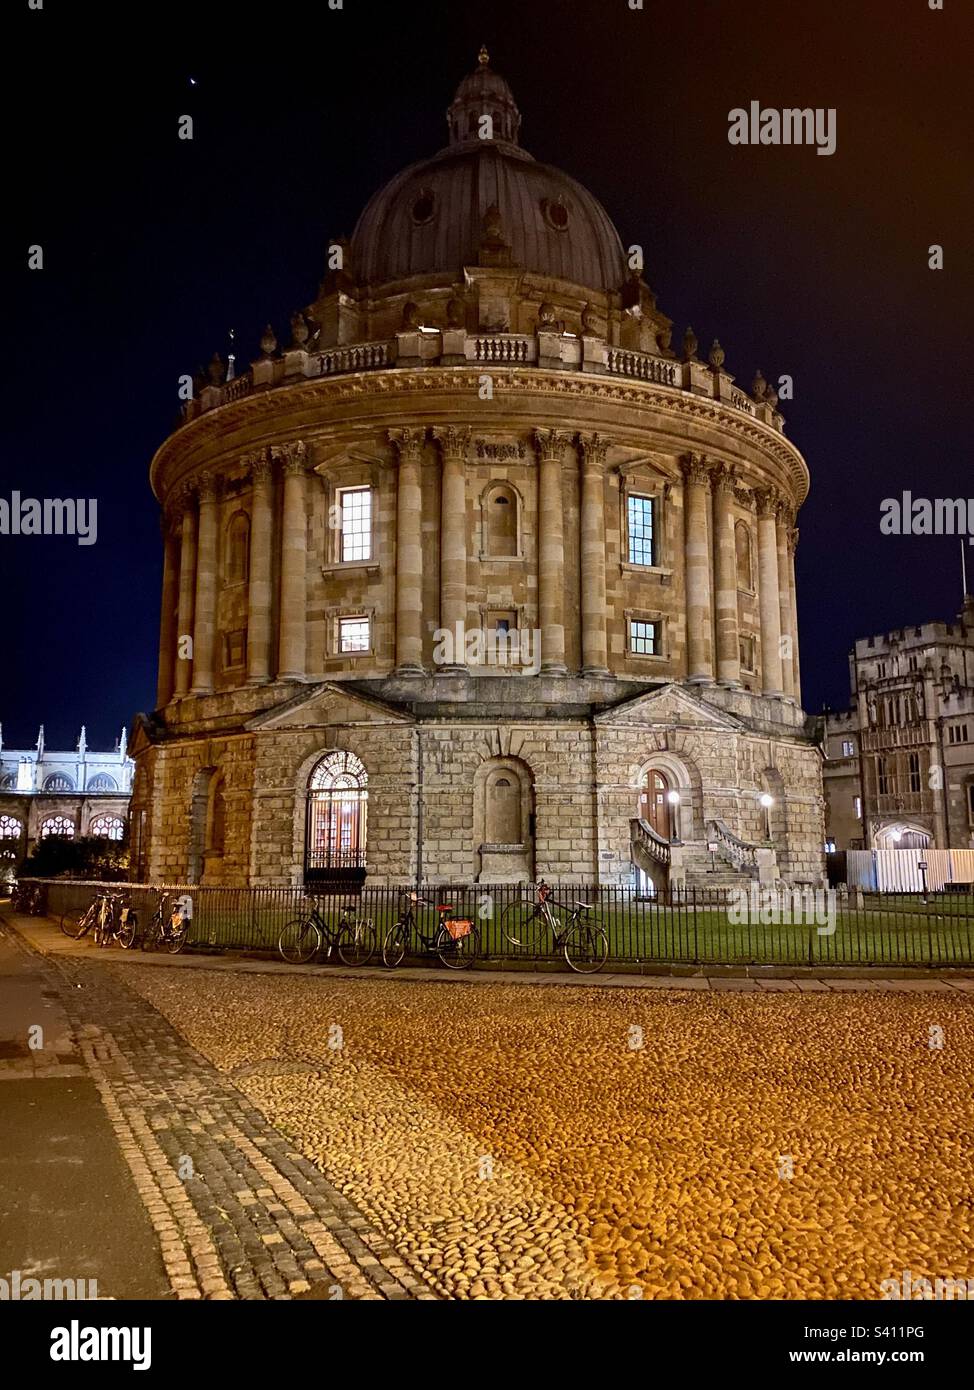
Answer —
(270, 412)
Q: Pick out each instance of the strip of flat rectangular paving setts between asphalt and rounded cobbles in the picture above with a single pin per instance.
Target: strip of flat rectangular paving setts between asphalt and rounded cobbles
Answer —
(238, 1213)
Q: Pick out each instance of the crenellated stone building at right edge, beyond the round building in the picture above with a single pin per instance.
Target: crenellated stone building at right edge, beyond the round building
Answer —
(900, 762)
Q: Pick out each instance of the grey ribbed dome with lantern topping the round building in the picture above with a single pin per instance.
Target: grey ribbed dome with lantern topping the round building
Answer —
(430, 219)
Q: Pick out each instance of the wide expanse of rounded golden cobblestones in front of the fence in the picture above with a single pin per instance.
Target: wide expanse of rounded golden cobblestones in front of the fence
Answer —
(615, 1143)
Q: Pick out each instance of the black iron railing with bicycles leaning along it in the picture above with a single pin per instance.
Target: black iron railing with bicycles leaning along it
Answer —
(802, 928)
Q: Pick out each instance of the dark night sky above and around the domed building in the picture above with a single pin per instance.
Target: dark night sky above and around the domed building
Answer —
(155, 248)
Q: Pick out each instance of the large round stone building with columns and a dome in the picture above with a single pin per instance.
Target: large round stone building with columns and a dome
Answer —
(476, 580)
